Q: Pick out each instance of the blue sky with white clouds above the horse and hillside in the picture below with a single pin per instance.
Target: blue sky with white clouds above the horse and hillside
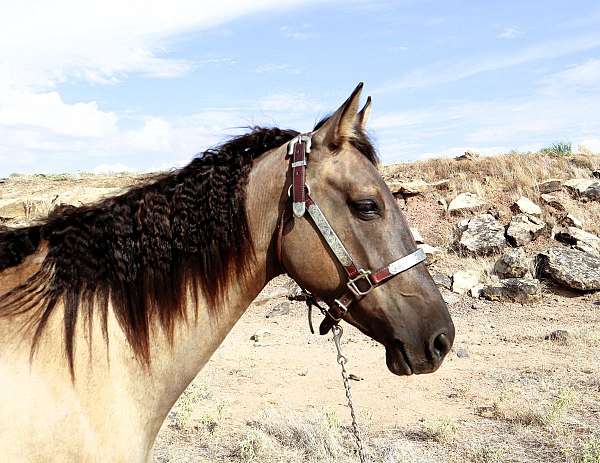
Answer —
(93, 86)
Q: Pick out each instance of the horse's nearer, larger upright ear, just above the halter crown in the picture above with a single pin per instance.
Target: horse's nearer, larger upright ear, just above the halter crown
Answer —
(341, 125)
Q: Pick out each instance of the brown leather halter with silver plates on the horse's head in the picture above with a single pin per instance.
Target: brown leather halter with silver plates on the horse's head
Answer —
(360, 282)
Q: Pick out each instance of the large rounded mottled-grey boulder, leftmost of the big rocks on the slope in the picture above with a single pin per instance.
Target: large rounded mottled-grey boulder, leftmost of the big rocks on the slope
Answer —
(481, 235)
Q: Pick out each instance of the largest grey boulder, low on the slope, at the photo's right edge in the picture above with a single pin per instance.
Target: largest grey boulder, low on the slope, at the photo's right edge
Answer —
(571, 268)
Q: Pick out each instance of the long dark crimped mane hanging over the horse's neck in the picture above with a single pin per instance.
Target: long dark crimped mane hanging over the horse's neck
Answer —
(144, 251)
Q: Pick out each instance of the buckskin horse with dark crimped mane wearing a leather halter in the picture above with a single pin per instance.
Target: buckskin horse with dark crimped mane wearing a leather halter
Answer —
(108, 311)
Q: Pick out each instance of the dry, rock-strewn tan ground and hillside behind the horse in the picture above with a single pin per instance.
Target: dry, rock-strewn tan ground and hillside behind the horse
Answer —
(511, 241)
